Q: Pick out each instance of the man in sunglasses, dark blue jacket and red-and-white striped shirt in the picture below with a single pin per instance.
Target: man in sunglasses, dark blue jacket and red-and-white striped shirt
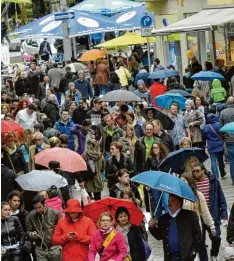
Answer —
(209, 185)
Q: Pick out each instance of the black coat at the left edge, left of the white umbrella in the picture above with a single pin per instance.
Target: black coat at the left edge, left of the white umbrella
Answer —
(8, 182)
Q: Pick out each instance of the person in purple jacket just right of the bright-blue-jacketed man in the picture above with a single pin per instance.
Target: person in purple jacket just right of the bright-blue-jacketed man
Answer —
(83, 133)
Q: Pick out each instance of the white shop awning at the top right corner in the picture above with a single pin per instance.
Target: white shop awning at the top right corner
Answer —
(202, 21)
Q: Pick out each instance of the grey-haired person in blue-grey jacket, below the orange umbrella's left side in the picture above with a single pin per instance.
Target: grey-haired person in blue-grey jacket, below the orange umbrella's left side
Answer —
(83, 86)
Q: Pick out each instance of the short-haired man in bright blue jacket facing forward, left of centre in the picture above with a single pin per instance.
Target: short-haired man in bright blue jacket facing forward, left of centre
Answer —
(64, 126)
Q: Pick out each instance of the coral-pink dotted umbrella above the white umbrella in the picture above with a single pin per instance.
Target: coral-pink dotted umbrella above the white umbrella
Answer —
(69, 160)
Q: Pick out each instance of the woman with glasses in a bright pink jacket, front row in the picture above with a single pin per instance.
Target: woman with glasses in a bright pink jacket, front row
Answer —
(116, 250)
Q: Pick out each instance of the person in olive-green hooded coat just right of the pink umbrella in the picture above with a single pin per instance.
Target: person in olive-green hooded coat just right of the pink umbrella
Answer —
(95, 166)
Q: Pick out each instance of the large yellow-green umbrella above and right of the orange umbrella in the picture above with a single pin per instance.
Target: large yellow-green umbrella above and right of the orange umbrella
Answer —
(127, 39)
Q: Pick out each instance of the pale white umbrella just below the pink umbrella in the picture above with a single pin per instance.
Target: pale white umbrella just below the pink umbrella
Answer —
(38, 180)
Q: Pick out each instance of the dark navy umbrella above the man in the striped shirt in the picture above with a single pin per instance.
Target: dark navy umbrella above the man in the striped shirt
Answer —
(176, 159)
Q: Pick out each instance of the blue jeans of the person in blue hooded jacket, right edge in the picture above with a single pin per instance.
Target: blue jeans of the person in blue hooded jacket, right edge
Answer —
(216, 158)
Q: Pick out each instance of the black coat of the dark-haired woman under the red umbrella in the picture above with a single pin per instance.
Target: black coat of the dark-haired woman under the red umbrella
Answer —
(137, 250)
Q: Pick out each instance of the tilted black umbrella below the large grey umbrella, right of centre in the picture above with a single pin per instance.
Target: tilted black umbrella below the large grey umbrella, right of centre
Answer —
(166, 121)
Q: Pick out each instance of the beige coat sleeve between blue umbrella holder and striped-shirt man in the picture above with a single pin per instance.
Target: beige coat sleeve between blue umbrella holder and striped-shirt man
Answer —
(201, 209)
